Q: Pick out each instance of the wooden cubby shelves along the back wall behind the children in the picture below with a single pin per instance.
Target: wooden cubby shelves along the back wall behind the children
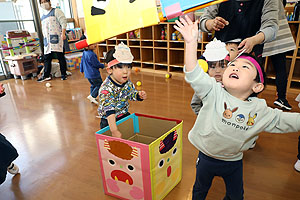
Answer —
(156, 53)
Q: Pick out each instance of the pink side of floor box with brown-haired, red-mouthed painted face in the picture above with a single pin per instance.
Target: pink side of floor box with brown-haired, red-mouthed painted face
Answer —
(122, 169)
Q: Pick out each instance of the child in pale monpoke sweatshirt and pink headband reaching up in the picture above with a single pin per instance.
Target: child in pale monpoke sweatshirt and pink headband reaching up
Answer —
(231, 117)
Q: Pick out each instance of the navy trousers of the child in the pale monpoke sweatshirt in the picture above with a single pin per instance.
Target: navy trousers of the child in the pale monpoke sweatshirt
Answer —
(230, 171)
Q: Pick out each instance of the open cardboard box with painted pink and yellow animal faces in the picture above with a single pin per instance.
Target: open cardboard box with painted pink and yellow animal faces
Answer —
(146, 163)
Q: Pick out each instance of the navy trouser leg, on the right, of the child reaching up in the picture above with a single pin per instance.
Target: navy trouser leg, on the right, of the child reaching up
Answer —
(233, 178)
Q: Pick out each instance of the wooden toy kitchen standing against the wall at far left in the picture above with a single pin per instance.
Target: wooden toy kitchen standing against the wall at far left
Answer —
(20, 65)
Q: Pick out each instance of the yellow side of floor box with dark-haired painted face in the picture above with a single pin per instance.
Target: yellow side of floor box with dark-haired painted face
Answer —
(166, 163)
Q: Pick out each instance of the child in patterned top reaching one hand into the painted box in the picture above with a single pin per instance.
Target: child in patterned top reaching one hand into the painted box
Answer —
(117, 89)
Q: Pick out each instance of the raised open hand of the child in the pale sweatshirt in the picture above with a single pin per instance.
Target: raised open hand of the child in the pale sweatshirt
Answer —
(188, 29)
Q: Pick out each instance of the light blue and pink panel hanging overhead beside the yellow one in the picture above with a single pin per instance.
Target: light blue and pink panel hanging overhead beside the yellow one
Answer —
(172, 9)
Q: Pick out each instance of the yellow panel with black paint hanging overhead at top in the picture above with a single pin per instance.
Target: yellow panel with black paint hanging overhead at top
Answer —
(107, 18)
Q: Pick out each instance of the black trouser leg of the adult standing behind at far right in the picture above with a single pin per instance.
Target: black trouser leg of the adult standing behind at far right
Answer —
(279, 64)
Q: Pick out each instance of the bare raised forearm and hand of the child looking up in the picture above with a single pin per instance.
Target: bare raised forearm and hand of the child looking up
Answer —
(189, 31)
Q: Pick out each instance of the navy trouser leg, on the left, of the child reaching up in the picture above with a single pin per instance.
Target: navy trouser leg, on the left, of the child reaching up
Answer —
(204, 178)
